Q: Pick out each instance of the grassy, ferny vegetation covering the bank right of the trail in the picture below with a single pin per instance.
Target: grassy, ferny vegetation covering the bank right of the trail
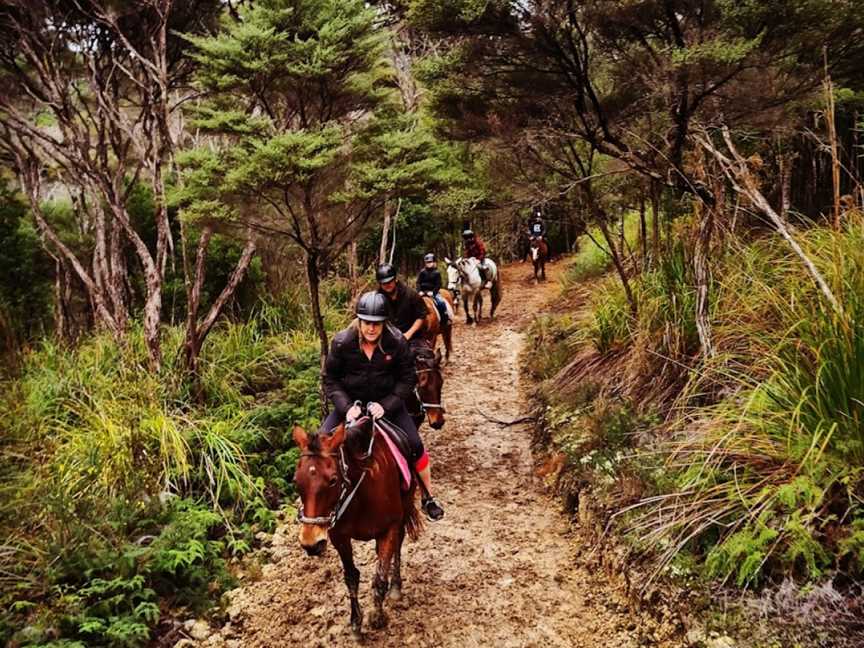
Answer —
(745, 467)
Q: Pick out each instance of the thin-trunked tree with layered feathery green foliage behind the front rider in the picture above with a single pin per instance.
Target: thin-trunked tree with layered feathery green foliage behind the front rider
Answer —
(307, 136)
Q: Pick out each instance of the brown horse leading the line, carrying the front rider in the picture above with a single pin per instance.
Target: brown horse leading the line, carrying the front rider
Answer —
(349, 486)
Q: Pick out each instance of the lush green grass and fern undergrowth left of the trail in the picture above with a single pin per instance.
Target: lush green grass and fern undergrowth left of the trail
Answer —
(126, 493)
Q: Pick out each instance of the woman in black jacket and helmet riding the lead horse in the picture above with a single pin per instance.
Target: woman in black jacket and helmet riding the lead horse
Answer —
(371, 362)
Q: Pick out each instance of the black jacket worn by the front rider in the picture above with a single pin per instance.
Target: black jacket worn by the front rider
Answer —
(388, 378)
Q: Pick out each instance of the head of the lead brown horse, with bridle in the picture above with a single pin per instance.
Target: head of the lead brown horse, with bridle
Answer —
(319, 478)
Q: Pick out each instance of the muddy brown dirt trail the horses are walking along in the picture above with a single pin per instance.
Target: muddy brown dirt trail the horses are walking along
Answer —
(501, 569)
